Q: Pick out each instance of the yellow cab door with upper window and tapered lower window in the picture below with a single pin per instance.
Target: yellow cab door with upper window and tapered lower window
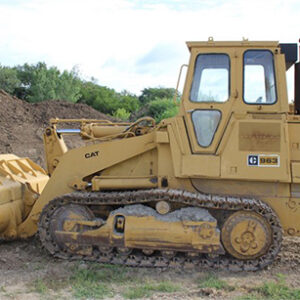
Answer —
(208, 96)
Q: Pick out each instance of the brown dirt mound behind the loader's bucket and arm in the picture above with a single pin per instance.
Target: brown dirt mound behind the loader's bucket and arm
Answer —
(22, 124)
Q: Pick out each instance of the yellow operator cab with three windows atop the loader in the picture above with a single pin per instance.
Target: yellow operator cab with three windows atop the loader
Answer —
(226, 78)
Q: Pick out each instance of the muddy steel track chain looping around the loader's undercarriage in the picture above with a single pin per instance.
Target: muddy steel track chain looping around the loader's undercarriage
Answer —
(137, 258)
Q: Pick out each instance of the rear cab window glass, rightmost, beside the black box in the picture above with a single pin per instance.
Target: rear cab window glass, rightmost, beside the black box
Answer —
(259, 77)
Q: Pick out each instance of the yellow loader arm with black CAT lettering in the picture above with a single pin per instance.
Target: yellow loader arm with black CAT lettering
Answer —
(79, 163)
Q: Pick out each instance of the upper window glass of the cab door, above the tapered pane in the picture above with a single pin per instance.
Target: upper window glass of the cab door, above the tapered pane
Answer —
(211, 78)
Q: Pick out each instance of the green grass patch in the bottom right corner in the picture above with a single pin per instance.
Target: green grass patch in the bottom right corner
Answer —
(277, 290)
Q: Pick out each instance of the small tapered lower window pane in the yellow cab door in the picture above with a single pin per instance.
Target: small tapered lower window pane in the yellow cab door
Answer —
(205, 124)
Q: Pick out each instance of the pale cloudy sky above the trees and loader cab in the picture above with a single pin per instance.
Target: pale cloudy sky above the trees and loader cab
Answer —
(131, 44)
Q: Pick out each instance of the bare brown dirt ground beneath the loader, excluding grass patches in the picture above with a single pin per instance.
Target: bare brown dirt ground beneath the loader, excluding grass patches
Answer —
(28, 272)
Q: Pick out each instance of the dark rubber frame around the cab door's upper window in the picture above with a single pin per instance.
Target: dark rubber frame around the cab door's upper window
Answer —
(229, 78)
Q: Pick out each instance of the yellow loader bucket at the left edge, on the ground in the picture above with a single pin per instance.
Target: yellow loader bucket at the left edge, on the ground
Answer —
(21, 183)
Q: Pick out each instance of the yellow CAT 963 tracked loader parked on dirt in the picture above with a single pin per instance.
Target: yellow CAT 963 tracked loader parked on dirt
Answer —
(216, 186)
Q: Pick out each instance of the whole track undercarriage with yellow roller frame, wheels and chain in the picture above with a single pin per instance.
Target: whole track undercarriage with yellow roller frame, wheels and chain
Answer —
(134, 228)
